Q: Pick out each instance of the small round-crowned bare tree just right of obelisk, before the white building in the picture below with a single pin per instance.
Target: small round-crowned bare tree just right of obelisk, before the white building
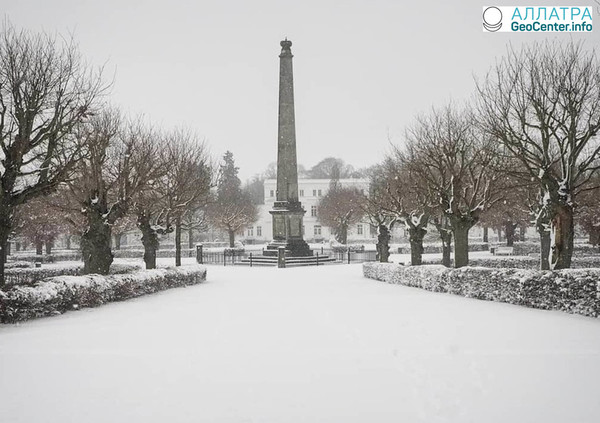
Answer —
(340, 208)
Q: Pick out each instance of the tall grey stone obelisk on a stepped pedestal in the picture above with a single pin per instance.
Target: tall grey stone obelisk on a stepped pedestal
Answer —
(287, 211)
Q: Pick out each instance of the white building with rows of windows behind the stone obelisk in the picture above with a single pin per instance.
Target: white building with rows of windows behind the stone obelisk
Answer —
(310, 192)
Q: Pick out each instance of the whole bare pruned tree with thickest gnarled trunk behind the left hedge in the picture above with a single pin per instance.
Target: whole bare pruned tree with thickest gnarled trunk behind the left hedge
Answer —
(120, 160)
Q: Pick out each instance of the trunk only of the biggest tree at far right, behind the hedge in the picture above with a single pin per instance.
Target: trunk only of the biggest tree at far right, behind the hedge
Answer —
(562, 233)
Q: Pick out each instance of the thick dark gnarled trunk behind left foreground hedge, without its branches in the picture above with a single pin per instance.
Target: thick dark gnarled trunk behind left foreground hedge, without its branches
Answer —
(95, 245)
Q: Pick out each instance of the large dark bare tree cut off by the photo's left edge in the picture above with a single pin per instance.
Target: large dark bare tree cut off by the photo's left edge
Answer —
(45, 91)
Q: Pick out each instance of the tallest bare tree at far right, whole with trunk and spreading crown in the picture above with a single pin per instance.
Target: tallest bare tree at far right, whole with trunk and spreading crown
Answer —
(543, 103)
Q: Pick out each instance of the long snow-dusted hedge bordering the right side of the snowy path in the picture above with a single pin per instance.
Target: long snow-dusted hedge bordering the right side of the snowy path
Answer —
(571, 290)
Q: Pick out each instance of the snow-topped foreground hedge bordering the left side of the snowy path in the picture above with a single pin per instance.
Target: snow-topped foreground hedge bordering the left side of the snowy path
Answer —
(59, 294)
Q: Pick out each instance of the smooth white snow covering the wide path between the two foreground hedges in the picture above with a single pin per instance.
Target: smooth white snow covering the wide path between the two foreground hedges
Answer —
(301, 345)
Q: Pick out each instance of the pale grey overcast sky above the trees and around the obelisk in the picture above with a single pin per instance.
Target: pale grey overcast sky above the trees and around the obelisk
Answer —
(362, 69)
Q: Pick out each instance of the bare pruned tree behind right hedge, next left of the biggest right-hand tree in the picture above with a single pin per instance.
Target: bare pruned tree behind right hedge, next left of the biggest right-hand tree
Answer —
(455, 162)
